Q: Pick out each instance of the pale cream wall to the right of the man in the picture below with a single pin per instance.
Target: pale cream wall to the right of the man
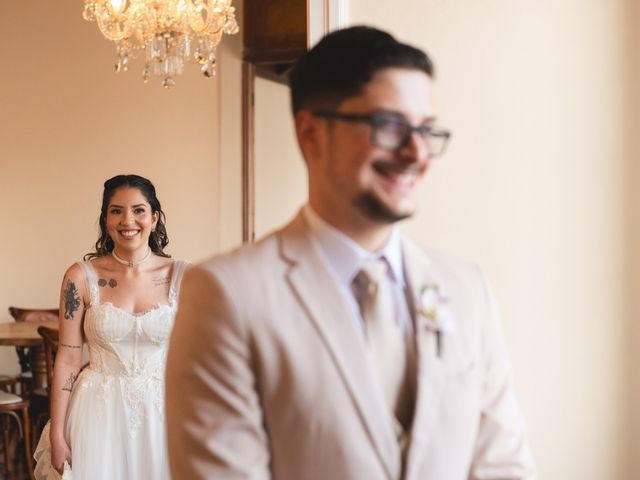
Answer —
(533, 189)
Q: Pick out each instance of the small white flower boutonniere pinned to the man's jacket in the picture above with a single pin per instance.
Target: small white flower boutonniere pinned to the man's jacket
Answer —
(434, 313)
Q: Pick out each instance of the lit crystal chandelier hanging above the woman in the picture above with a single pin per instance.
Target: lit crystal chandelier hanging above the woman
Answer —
(168, 32)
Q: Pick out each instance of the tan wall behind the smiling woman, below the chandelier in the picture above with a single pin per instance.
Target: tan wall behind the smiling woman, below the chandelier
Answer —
(67, 123)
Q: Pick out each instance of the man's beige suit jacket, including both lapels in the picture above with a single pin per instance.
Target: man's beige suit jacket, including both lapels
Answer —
(267, 376)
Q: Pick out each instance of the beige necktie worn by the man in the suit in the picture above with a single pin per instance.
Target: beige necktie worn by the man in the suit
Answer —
(385, 341)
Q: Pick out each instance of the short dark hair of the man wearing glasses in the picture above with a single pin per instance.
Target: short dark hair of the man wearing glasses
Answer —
(344, 61)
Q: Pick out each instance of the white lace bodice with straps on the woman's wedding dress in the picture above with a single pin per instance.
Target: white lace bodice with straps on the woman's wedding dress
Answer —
(128, 351)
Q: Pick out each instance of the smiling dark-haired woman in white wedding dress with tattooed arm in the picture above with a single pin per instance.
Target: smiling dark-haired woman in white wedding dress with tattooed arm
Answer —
(107, 420)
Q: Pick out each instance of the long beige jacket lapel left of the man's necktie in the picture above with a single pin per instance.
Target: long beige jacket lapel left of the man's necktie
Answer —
(333, 319)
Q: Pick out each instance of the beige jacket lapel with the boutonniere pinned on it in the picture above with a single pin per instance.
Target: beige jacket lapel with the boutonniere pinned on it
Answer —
(430, 368)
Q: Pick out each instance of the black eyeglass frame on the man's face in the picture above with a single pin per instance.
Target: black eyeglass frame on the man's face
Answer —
(375, 120)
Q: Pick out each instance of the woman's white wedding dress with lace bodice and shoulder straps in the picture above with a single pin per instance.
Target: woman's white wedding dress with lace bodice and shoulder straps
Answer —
(115, 421)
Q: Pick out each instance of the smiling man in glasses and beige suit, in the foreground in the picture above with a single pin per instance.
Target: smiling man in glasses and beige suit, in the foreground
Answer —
(336, 348)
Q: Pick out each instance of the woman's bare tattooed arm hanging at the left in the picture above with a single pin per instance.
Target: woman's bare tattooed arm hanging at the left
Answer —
(68, 359)
